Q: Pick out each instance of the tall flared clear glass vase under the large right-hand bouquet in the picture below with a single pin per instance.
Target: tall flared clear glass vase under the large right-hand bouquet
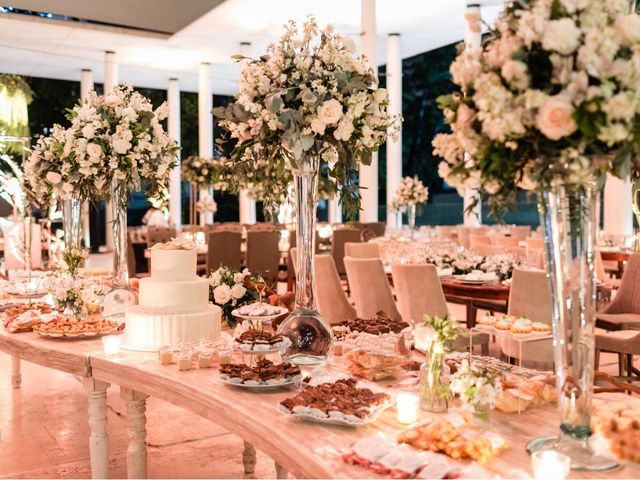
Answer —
(567, 213)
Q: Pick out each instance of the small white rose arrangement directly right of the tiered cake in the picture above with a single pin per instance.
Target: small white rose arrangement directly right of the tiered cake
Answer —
(230, 289)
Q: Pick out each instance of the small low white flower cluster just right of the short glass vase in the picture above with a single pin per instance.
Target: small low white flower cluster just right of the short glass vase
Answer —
(477, 389)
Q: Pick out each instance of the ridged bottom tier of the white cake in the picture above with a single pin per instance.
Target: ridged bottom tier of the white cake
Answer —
(148, 329)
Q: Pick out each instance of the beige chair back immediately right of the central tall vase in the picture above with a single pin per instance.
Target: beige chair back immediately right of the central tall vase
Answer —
(331, 299)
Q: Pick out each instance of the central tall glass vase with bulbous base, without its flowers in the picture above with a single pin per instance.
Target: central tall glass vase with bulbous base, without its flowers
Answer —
(310, 335)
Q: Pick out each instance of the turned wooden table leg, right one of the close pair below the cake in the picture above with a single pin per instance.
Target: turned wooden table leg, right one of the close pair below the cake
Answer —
(136, 425)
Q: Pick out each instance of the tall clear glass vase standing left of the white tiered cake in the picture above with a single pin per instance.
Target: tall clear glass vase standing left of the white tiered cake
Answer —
(121, 296)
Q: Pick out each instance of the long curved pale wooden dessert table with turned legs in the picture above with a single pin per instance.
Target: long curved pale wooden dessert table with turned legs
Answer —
(308, 450)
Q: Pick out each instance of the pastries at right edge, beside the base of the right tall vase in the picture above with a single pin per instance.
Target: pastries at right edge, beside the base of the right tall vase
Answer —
(616, 427)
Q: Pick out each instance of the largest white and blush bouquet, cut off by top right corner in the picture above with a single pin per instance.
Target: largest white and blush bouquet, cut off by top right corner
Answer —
(553, 89)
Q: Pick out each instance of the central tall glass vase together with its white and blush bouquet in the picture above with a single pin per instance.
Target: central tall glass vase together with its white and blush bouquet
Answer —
(307, 105)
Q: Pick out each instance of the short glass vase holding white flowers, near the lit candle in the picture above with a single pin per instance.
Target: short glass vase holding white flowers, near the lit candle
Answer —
(434, 337)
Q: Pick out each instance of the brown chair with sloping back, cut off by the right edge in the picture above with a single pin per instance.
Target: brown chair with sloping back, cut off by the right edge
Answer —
(623, 313)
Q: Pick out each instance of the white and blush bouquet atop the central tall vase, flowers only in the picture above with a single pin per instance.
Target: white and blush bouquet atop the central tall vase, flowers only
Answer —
(308, 97)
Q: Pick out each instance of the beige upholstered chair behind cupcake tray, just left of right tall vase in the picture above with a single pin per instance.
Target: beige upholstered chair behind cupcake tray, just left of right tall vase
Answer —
(530, 297)
